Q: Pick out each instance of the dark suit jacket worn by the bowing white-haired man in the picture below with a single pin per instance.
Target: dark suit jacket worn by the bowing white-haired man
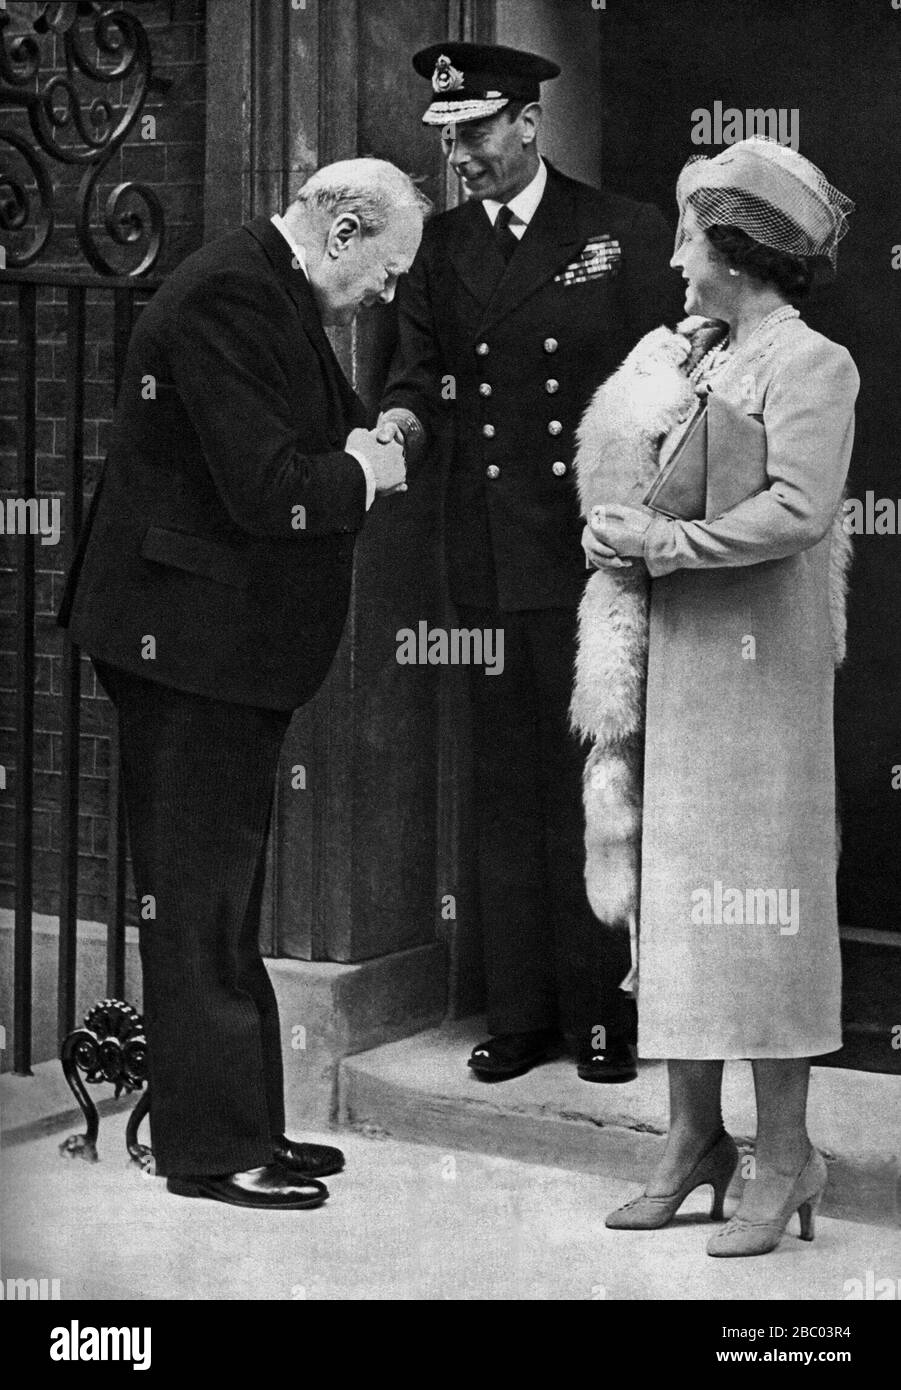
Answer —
(232, 416)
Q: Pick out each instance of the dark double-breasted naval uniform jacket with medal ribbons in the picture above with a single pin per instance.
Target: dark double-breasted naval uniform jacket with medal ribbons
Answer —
(504, 361)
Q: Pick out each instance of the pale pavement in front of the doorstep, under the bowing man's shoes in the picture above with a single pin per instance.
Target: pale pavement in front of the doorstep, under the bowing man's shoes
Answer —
(405, 1223)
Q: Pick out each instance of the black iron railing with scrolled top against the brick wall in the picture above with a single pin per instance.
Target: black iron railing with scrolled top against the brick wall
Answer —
(74, 83)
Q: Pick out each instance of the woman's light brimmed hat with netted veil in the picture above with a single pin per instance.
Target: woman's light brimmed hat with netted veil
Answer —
(771, 193)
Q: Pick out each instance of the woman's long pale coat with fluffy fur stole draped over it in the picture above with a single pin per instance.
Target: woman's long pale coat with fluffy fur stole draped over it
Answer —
(739, 947)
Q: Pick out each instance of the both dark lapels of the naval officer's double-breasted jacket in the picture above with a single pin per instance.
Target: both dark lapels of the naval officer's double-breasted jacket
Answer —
(549, 243)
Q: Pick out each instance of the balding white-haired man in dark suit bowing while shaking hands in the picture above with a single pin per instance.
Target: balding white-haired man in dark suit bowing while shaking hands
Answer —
(211, 590)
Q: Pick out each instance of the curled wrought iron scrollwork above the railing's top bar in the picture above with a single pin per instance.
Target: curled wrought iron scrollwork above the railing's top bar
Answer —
(70, 104)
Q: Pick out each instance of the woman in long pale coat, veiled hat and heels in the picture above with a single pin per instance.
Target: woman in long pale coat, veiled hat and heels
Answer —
(738, 936)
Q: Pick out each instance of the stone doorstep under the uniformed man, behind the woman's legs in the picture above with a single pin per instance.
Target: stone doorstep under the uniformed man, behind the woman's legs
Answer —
(422, 1090)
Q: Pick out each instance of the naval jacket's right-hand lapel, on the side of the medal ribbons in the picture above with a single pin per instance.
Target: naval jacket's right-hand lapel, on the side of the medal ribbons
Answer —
(550, 243)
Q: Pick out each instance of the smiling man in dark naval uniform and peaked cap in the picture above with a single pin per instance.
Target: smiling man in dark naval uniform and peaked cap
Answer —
(521, 302)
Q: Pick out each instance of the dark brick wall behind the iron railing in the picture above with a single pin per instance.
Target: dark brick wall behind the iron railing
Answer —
(172, 162)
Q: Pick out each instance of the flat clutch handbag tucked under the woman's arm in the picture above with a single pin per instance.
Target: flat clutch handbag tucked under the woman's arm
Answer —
(720, 462)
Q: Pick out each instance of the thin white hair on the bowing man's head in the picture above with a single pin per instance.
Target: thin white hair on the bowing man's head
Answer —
(372, 190)
